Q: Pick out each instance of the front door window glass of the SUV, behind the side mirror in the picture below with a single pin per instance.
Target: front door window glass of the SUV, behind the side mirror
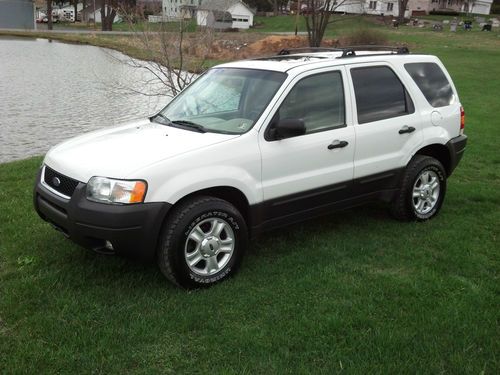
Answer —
(318, 100)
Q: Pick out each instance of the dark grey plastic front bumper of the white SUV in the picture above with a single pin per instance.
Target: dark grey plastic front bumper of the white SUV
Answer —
(131, 229)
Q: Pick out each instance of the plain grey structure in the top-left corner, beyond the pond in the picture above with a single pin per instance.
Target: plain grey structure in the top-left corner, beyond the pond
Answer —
(17, 14)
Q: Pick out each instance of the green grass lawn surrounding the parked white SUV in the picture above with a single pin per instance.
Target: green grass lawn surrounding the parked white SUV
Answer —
(355, 291)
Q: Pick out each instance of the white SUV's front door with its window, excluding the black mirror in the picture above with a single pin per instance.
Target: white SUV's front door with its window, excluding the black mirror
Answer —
(302, 173)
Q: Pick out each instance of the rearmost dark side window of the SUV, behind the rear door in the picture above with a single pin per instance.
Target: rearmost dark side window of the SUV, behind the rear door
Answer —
(431, 80)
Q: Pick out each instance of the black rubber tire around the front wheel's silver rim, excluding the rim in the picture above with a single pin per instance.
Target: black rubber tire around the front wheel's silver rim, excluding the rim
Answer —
(186, 277)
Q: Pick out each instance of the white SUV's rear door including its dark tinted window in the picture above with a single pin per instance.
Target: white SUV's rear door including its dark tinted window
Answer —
(388, 128)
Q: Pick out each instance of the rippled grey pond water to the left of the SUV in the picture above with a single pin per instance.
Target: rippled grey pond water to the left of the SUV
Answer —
(52, 91)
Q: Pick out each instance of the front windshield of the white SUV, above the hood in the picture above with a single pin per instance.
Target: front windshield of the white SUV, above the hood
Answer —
(224, 100)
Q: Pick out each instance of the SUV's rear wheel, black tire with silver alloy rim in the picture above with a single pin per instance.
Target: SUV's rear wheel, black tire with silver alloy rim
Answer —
(422, 190)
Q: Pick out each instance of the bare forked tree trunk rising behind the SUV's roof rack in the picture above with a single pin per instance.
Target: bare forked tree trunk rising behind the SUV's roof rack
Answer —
(318, 16)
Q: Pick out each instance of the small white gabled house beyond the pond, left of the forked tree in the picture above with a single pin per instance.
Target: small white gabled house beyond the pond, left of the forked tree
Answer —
(224, 14)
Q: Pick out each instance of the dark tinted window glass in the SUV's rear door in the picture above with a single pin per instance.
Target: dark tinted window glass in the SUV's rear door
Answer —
(379, 94)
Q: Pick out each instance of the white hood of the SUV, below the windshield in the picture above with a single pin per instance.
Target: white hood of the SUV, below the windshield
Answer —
(119, 152)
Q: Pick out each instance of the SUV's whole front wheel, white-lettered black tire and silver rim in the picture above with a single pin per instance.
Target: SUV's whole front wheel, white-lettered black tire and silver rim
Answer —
(202, 242)
